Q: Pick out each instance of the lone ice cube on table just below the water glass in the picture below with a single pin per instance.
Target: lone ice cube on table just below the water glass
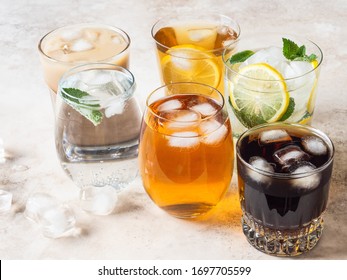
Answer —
(98, 200)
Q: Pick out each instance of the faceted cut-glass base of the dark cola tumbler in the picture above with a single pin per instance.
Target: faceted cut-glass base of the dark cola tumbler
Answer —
(288, 242)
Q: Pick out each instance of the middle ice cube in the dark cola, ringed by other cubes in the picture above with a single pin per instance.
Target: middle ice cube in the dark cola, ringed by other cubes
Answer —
(290, 154)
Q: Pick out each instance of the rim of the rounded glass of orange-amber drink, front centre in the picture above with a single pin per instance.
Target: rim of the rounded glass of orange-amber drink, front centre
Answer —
(182, 94)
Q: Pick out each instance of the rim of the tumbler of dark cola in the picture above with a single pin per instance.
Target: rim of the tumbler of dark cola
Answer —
(278, 175)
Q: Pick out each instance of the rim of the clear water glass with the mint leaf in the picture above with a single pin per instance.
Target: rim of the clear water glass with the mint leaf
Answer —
(88, 66)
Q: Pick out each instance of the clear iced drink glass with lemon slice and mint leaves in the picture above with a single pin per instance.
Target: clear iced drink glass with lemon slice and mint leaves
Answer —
(271, 78)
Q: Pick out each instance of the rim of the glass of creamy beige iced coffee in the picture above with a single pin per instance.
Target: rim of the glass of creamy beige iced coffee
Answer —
(106, 26)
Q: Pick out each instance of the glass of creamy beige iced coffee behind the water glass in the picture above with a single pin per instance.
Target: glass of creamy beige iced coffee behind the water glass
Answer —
(71, 45)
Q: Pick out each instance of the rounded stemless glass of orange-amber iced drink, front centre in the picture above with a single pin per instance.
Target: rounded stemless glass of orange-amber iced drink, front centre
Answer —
(186, 149)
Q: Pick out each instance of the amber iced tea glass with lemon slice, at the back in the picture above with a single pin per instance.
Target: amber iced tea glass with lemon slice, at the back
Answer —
(190, 47)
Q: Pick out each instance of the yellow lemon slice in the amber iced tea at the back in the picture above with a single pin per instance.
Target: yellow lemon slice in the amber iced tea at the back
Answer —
(189, 63)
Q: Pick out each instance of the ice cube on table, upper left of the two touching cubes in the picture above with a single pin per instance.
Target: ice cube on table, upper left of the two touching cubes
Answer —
(36, 204)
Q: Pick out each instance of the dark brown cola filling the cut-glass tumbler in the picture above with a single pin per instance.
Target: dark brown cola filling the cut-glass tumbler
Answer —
(275, 200)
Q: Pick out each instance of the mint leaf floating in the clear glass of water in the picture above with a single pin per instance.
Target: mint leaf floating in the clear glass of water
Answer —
(78, 100)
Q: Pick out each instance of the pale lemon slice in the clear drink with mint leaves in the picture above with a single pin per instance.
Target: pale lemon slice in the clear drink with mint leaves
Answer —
(258, 94)
